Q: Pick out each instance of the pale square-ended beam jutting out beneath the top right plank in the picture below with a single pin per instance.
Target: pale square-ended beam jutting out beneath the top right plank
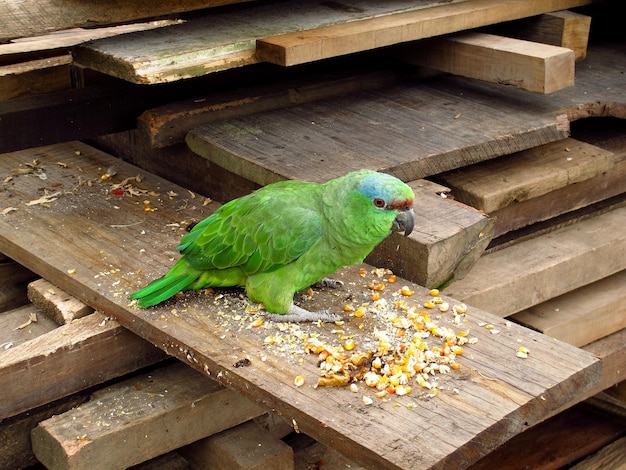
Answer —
(532, 66)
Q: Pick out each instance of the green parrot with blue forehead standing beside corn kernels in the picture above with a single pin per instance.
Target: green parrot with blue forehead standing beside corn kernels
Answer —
(286, 237)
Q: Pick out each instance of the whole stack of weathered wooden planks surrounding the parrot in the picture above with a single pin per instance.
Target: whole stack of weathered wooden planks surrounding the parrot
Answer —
(479, 105)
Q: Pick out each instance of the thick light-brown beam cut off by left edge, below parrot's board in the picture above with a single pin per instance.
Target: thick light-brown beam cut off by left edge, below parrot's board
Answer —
(68, 359)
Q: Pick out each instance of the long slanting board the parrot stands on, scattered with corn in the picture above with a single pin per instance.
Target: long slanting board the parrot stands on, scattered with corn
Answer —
(111, 245)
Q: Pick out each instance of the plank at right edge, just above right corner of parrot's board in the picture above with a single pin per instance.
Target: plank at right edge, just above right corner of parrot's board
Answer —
(581, 316)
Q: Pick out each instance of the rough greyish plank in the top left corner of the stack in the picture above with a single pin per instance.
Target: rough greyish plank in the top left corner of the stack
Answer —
(30, 18)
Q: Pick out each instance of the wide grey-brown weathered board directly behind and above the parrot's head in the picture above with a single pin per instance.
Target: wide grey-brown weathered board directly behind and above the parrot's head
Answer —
(411, 130)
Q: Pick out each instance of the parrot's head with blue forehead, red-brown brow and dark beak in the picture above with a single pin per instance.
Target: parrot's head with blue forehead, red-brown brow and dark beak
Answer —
(388, 199)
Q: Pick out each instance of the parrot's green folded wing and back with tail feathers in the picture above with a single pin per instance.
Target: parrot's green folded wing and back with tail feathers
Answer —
(257, 233)
